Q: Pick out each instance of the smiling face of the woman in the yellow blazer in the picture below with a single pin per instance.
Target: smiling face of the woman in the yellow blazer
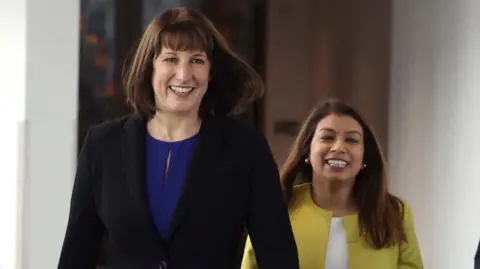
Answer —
(336, 151)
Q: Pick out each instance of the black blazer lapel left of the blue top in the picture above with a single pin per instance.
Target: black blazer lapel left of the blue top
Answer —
(133, 151)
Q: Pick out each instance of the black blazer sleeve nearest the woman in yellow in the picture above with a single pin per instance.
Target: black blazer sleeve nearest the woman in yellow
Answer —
(268, 223)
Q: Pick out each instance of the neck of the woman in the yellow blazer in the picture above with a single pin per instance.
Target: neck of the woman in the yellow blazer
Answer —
(334, 196)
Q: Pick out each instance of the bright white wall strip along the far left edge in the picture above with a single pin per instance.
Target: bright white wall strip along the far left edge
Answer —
(12, 114)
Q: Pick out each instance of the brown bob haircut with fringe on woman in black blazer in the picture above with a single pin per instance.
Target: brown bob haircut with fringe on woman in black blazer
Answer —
(233, 85)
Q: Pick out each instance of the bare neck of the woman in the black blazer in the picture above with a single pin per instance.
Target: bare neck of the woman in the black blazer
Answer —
(171, 127)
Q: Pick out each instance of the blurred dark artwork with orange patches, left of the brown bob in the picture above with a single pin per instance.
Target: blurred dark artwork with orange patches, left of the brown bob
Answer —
(96, 85)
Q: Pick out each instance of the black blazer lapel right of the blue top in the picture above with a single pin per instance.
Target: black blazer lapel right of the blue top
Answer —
(209, 142)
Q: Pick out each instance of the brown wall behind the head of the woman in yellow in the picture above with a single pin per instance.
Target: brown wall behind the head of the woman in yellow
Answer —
(321, 48)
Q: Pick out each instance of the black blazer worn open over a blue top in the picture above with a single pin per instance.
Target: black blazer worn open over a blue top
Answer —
(232, 183)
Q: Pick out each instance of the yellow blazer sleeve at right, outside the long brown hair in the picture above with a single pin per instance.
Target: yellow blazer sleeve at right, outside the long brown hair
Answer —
(410, 256)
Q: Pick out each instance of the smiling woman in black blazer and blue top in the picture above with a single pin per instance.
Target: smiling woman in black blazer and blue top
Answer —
(175, 184)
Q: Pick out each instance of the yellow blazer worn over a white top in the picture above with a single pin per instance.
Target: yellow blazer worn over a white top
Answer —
(311, 228)
